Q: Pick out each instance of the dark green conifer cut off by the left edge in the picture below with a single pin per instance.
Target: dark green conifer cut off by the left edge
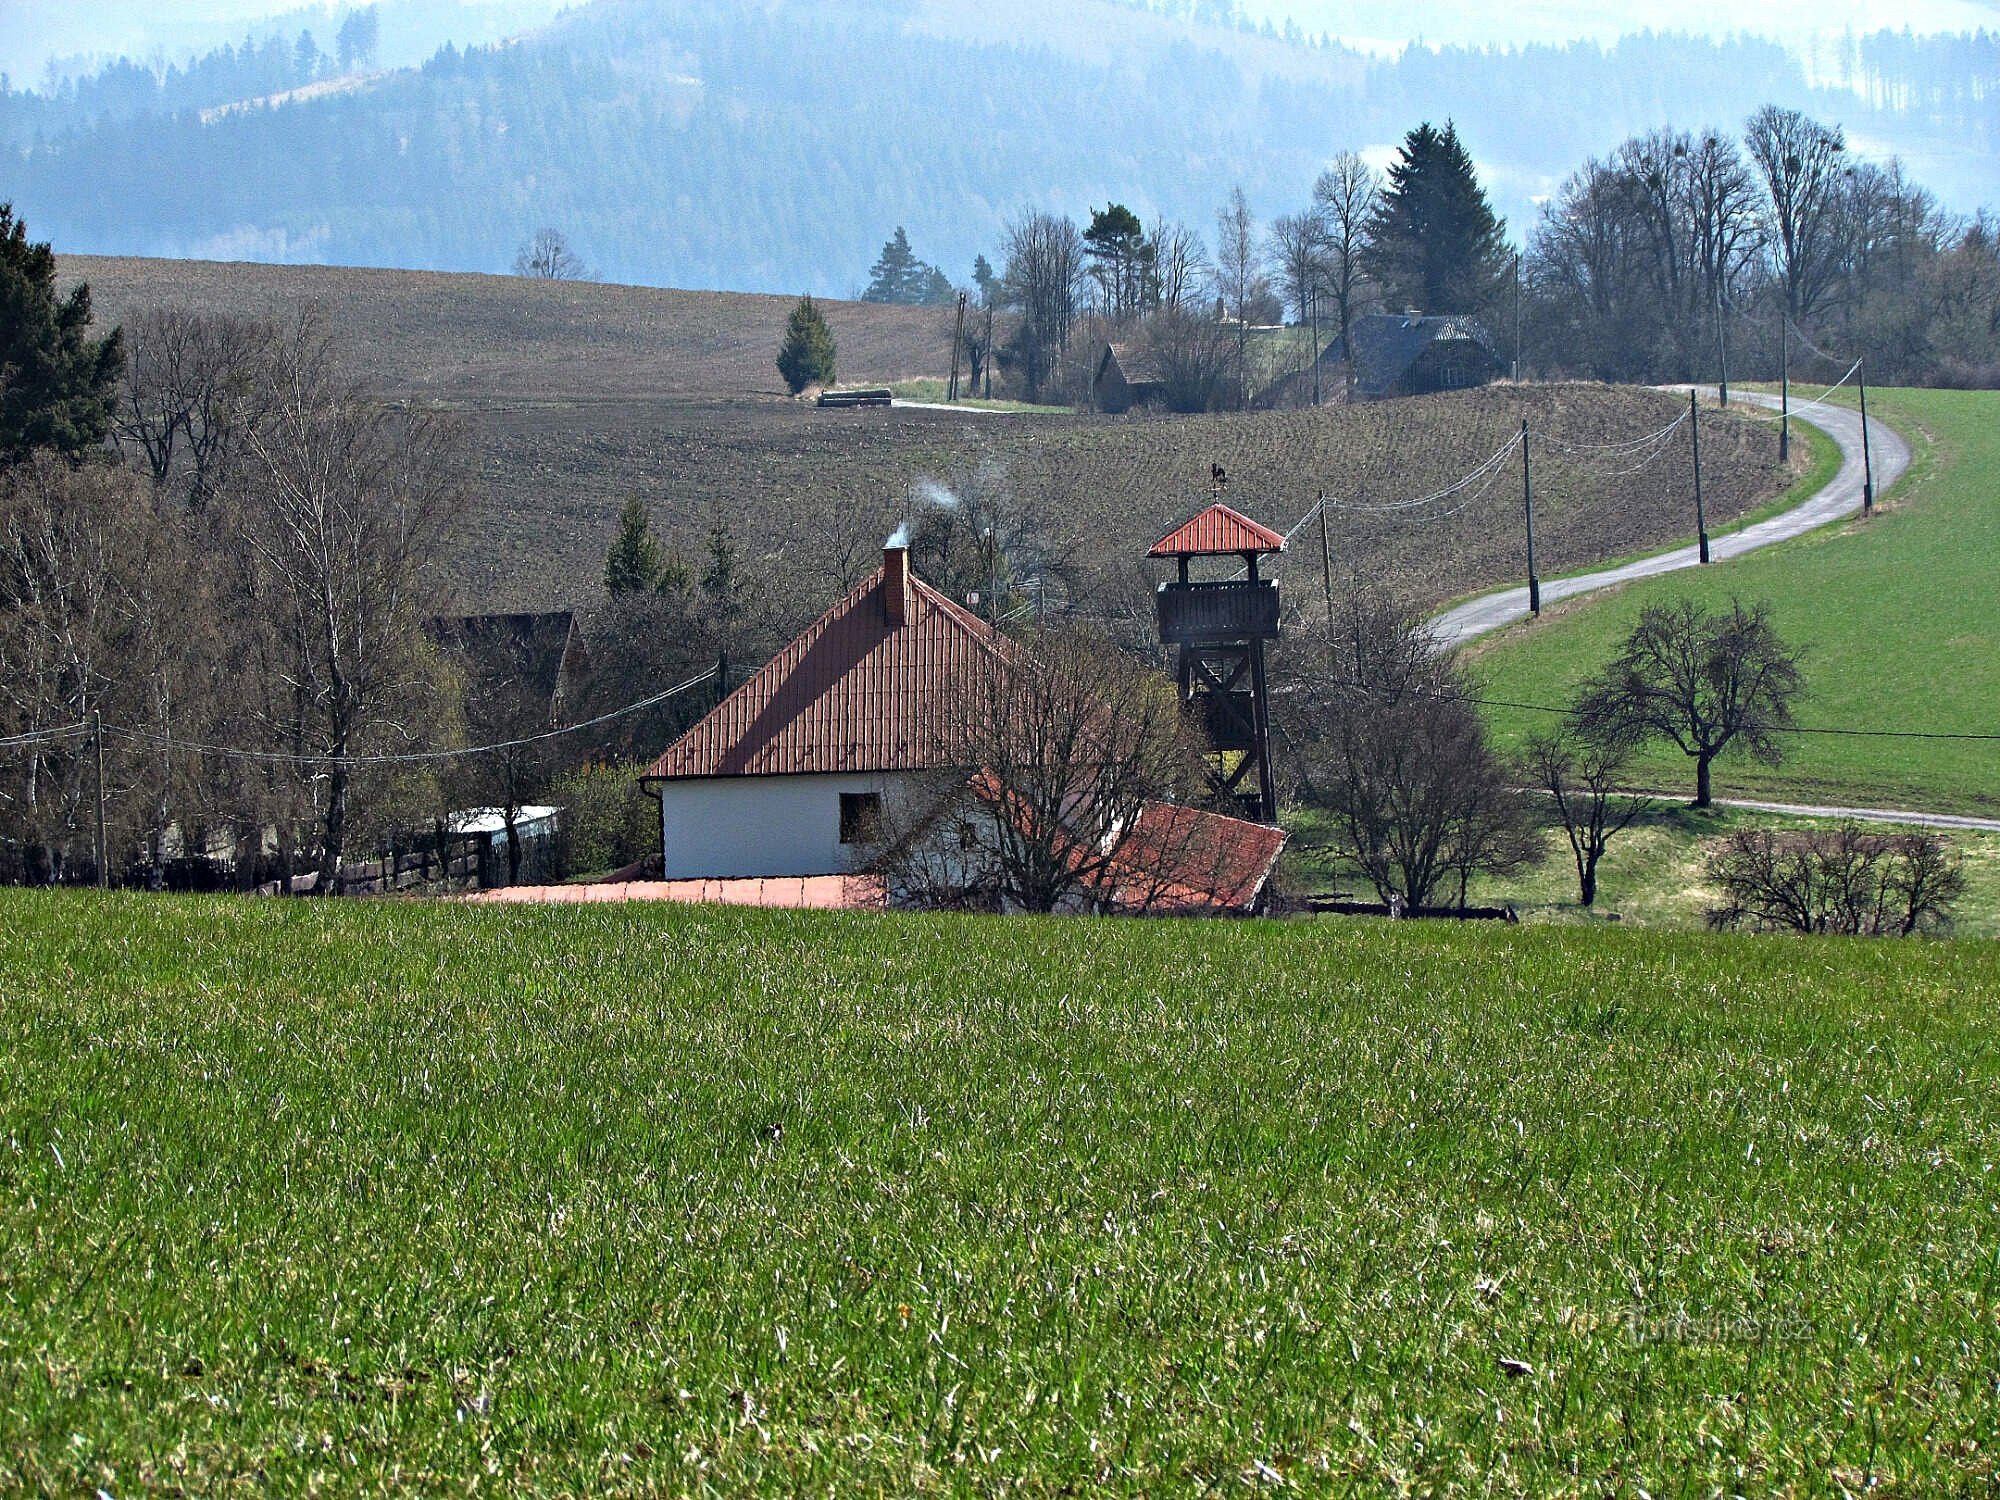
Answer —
(57, 385)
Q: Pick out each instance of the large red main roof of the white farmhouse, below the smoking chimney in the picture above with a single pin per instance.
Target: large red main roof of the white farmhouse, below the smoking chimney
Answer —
(853, 693)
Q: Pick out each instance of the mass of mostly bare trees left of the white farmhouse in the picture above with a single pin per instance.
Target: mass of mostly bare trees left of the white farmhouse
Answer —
(221, 599)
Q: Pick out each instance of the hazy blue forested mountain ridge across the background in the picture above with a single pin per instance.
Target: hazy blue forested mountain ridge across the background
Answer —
(769, 147)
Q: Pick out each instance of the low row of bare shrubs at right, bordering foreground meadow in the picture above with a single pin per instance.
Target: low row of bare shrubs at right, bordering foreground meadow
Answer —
(1837, 881)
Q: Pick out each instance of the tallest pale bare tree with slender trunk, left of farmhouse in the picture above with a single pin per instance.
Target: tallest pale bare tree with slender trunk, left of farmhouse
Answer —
(343, 515)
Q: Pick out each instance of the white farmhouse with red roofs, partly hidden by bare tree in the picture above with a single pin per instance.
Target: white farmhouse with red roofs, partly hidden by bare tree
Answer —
(839, 739)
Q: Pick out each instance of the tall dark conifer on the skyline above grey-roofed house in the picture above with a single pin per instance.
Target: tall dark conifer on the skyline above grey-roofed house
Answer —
(1433, 241)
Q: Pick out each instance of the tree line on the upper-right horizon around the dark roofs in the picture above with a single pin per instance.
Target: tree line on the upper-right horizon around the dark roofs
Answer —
(1679, 257)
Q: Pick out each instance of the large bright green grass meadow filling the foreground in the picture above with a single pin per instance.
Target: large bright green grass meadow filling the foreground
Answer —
(669, 1201)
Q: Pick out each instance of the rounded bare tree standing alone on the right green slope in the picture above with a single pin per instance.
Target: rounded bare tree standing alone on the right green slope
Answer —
(1701, 681)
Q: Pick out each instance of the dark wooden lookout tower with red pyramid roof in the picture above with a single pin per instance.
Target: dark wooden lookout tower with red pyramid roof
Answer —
(1221, 627)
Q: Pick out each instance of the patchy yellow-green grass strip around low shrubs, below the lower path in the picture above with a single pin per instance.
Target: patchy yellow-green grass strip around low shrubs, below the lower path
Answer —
(1655, 871)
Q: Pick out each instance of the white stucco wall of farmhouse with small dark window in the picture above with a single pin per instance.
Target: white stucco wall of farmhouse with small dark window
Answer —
(717, 827)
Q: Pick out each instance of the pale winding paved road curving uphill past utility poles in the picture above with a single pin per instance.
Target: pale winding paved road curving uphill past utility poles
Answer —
(1843, 497)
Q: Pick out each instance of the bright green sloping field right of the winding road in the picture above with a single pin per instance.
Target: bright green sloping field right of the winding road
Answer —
(1899, 615)
